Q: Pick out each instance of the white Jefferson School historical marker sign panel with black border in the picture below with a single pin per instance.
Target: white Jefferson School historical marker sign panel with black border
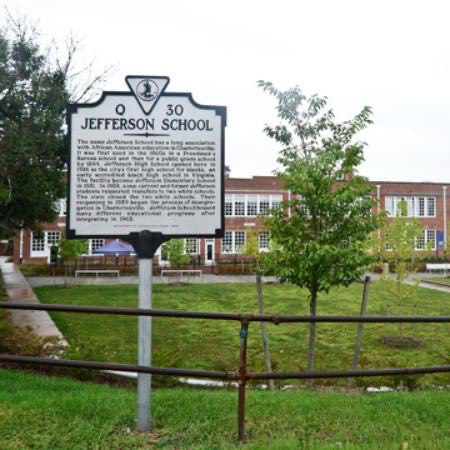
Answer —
(146, 159)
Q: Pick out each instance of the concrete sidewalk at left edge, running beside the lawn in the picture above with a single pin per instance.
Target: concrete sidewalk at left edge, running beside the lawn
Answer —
(19, 290)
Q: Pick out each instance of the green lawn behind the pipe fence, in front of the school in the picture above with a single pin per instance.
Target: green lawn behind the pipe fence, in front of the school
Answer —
(205, 344)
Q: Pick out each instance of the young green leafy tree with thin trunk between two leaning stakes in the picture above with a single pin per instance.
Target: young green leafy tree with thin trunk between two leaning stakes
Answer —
(321, 231)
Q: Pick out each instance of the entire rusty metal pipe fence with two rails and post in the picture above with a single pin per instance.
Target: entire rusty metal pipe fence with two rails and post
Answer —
(242, 375)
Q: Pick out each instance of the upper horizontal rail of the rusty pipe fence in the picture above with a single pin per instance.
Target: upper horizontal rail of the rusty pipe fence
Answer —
(222, 316)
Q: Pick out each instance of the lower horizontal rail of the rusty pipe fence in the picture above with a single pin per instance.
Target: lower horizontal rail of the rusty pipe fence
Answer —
(172, 371)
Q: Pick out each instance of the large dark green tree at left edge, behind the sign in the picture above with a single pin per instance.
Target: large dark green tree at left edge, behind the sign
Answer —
(34, 91)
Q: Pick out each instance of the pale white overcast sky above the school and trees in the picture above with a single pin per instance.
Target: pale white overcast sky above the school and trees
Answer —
(391, 55)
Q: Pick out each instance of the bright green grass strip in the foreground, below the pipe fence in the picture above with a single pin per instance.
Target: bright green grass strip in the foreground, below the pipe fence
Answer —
(59, 413)
